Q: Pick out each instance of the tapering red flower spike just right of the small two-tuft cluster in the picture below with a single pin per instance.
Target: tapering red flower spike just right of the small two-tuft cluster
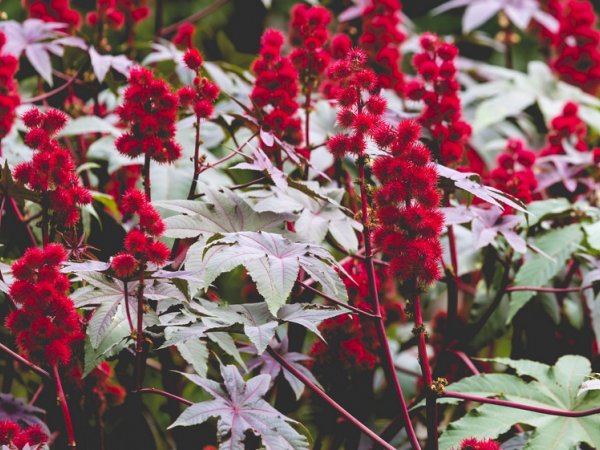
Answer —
(275, 90)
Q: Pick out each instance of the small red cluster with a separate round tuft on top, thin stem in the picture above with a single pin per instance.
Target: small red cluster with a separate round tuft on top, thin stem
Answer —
(202, 96)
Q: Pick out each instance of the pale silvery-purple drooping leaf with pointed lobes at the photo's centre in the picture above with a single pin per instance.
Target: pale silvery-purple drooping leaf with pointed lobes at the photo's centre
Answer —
(273, 262)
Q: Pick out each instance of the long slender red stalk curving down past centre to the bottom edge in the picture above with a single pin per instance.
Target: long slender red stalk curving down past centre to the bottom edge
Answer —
(388, 361)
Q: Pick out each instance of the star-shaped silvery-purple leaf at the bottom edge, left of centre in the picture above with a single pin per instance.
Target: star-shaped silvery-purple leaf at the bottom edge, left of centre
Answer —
(240, 408)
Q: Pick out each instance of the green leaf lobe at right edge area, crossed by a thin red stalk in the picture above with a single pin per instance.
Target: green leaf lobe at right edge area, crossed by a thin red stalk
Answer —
(539, 269)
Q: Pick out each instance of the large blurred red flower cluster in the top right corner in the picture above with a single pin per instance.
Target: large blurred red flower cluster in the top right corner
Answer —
(575, 45)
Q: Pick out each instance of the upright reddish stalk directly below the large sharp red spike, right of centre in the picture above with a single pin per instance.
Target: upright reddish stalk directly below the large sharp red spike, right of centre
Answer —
(430, 397)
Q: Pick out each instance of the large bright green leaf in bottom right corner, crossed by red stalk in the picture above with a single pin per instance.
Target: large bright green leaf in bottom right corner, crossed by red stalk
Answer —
(553, 387)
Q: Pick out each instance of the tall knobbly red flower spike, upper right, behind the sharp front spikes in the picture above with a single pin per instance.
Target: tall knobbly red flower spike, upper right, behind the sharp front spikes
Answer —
(437, 87)
